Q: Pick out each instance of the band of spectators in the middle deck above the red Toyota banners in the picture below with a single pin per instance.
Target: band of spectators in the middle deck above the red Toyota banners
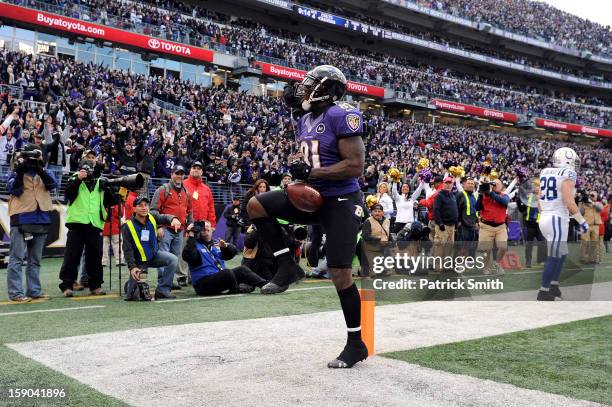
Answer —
(259, 42)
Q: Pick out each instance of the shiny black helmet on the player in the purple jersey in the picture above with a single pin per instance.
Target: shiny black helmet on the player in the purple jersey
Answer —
(322, 85)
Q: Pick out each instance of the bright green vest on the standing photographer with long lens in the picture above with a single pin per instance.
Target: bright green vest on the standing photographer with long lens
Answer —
(88, 207)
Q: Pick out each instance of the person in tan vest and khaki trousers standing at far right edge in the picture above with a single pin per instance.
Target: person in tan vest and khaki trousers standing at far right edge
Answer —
(591, 209)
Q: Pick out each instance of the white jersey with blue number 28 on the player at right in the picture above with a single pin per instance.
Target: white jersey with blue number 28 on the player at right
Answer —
(551, 197)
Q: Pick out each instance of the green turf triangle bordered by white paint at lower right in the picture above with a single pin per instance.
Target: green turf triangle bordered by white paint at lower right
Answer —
(573, 359)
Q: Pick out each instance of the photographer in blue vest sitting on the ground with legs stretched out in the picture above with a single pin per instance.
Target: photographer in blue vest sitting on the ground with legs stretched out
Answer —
(205, 258)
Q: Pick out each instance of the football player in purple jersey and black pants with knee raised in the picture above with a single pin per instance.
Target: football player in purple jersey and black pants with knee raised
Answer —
(329, 134)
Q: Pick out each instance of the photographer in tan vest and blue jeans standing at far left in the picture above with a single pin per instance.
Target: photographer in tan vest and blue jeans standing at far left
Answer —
(29, 208)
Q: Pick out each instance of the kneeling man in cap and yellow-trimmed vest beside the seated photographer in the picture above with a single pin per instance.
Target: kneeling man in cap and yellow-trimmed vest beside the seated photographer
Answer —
(141, 250)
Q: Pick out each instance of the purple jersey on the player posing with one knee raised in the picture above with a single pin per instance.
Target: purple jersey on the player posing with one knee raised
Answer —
(318, 139)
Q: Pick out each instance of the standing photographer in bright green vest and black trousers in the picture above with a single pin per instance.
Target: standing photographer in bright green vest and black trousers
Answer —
(87, 199)
